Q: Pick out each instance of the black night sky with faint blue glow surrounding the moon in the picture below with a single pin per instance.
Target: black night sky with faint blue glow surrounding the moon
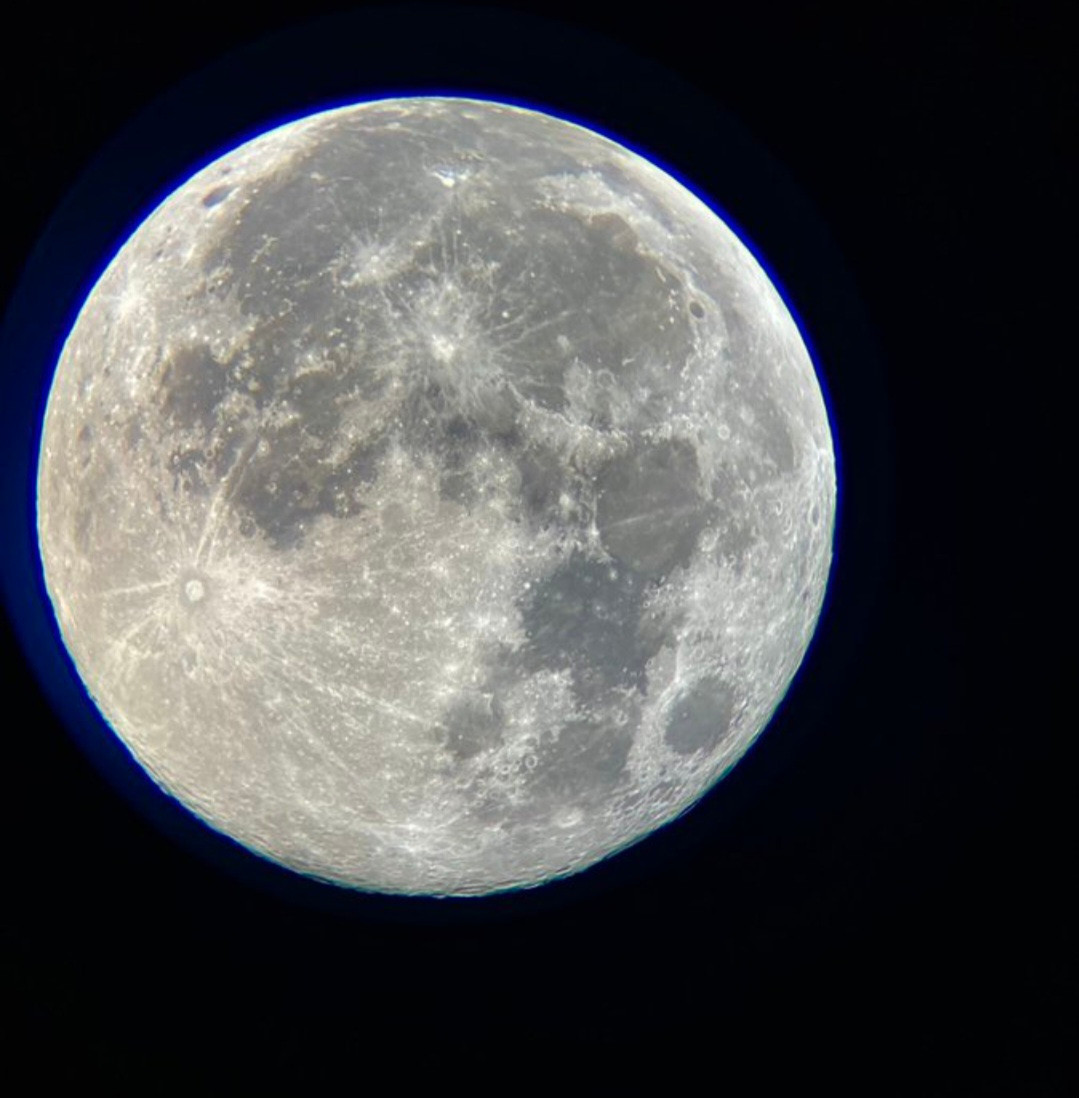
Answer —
(878, 894)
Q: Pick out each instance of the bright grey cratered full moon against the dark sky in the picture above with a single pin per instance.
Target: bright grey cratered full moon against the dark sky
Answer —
(435, 497)
